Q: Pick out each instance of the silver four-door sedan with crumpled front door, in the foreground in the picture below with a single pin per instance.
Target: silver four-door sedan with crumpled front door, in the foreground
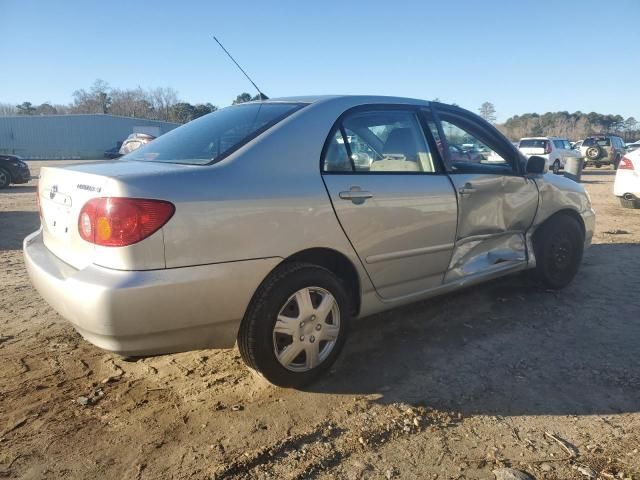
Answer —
(275, 223)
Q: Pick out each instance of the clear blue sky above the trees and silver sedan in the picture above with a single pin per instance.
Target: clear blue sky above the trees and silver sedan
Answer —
(521, 55)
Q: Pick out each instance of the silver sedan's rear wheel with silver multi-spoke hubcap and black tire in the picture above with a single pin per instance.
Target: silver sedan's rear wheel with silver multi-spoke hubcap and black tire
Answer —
(281, 320)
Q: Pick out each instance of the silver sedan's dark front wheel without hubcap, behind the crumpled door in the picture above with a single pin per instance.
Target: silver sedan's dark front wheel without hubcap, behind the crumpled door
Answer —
(558, 245)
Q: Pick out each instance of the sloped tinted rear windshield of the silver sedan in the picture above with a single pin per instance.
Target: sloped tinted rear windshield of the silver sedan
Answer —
(212, 137)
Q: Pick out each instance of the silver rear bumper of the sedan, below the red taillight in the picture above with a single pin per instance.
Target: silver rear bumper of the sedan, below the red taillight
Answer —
(148, 312)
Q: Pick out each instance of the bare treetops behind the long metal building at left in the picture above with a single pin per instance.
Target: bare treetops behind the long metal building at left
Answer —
(160, 103)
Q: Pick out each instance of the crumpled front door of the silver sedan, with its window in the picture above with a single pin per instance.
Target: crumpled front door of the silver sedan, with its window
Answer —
(496, 202)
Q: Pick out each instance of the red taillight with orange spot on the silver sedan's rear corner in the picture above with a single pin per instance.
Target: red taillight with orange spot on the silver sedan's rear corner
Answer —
(118, 222)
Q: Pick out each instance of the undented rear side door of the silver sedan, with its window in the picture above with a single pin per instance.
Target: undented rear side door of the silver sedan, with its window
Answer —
(394, 202)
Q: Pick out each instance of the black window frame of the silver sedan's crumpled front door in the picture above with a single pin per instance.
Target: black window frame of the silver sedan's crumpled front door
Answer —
(506, 149)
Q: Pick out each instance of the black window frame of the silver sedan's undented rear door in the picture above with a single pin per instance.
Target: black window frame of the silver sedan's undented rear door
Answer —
(410, 108)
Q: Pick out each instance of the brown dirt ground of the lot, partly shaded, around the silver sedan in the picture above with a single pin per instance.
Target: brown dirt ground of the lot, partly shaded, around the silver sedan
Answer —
(501, 375)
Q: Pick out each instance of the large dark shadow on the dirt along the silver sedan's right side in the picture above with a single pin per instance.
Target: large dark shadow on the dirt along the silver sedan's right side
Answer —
(508, 347)
